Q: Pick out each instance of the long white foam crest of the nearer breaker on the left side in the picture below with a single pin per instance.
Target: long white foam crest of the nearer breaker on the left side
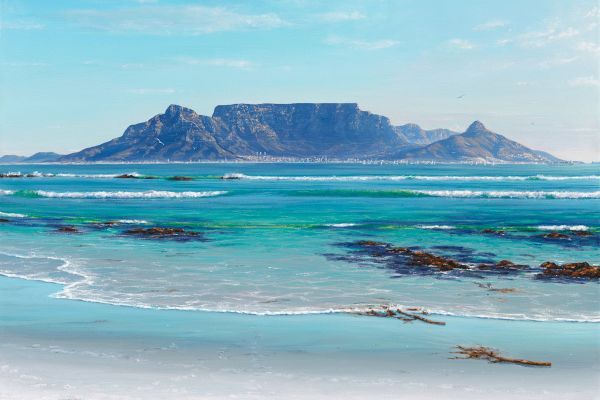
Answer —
(150, 194)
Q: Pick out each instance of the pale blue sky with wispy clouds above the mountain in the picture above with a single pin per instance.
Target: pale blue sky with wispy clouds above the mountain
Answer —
(74, 74)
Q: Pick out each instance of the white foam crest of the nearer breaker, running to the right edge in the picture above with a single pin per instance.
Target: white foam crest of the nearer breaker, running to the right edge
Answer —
(510, 194)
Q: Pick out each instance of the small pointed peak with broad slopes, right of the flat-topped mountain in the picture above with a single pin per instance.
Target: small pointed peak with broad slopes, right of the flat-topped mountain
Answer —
(477, 143)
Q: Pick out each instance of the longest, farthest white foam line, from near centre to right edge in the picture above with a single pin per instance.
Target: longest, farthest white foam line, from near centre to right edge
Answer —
(406, 177)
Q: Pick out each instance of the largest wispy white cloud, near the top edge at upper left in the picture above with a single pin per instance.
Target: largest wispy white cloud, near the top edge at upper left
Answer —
(172, 20)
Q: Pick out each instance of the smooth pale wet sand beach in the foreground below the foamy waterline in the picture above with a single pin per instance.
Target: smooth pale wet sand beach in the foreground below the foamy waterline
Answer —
(127, 353)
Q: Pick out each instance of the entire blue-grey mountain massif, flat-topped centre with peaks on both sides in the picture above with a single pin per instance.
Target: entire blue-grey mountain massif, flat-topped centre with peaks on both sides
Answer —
(301, 130)
